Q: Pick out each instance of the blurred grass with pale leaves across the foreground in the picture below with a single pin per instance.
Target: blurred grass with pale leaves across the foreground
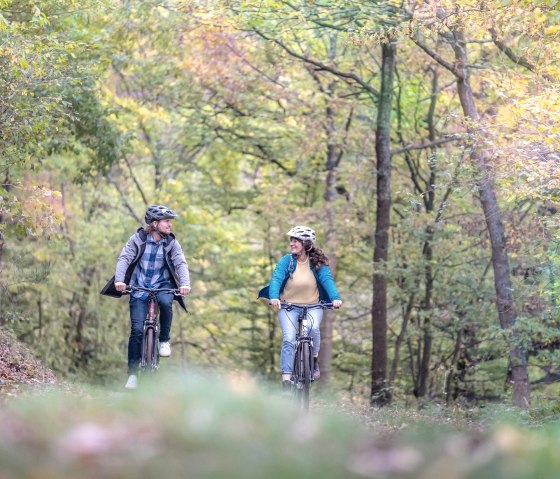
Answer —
(187, 427)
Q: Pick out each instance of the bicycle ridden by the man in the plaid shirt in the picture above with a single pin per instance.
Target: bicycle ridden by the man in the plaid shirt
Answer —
(150, 332)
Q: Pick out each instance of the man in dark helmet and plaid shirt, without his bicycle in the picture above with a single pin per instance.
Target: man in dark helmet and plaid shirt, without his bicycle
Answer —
(151, 258)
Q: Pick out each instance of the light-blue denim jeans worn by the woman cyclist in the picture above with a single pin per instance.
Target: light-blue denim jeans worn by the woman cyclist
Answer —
(288, 323)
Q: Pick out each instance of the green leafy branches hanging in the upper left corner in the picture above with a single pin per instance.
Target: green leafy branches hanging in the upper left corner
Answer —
(48, 80)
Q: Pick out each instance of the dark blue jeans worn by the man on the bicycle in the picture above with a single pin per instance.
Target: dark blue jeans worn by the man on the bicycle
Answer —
(138, 313)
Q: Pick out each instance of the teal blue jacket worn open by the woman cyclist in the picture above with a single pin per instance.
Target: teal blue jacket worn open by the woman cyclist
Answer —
(285, 269)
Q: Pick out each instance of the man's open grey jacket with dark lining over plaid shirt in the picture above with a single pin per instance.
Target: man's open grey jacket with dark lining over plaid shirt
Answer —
(131, 254)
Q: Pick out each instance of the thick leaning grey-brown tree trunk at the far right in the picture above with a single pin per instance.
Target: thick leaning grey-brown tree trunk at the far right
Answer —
(500, 263)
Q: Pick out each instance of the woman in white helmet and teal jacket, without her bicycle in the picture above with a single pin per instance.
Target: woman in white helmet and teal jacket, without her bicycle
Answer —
(301, 277)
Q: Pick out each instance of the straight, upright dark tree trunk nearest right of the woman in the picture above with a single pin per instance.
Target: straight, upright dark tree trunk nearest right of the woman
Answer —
(380, 391)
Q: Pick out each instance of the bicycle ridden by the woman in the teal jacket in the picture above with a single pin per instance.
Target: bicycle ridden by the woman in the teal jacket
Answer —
(302, 371)
